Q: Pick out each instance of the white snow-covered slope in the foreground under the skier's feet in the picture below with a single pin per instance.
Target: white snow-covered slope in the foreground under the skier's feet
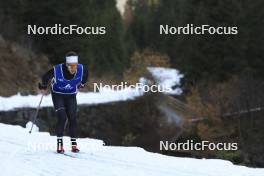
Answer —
(33, 154)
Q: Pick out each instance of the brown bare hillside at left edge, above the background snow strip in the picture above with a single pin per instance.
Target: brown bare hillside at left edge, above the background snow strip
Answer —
(20, 68)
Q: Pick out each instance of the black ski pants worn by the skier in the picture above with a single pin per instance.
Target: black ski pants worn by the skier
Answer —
(65, 106)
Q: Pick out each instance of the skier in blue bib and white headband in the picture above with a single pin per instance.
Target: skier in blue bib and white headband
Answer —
(65, 80)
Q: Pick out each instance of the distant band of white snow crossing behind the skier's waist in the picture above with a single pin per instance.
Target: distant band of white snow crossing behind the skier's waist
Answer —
(165, 77)
